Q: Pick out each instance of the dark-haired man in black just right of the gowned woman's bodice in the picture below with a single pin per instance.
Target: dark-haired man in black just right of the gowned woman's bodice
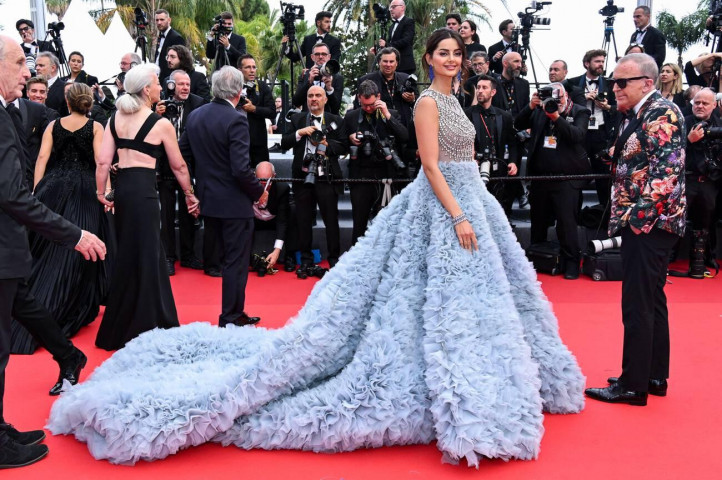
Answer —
(495, 140)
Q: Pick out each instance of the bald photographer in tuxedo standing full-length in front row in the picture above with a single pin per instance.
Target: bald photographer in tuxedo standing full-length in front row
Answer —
(324, 154)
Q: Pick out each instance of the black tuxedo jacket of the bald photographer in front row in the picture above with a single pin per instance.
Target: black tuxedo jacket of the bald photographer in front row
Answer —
(336, 143)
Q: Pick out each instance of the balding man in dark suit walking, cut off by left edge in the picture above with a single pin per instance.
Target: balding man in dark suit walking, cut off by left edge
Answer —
(18, 210)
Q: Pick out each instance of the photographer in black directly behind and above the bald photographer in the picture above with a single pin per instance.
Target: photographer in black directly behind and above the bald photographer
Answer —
(332, 84)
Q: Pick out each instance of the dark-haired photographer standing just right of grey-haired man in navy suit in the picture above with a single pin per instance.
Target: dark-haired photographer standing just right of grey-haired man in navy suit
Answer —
(257, 102)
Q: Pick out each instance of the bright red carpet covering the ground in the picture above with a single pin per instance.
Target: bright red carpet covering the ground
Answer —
(679, 436)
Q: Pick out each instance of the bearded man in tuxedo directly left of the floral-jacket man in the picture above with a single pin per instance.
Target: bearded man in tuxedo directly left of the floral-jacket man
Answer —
(602, 131)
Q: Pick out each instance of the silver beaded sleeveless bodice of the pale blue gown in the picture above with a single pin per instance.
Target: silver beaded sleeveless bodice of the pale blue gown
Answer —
(456, 132)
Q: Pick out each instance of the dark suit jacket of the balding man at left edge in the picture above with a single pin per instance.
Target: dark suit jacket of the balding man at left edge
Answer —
(20, 209)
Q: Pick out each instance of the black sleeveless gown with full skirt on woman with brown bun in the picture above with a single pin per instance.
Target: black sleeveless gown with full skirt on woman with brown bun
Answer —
(71, 288)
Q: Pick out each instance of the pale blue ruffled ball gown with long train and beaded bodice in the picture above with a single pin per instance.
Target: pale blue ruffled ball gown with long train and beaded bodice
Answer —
(408, 339)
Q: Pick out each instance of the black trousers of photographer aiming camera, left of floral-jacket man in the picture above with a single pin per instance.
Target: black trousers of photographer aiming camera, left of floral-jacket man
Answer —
(560, 201)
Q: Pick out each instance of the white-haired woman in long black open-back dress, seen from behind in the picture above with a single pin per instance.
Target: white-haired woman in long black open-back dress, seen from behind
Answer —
(140, 296)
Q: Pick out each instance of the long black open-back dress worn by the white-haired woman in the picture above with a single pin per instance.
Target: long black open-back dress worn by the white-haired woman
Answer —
(140, 296)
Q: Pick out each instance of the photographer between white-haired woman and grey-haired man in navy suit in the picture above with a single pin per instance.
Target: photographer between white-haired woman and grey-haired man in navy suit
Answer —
(178, 104)
